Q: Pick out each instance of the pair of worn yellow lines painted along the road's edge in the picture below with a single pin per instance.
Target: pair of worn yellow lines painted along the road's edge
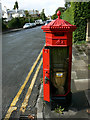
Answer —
(25, 102)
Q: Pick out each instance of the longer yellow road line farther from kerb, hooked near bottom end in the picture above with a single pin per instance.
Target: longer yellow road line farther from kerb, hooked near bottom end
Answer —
(22, 87)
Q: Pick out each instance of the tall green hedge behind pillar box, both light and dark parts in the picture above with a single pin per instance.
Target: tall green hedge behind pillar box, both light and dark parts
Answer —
(77, 15)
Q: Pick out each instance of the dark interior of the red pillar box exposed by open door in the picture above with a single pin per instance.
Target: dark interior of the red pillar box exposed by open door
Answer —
(59, 61)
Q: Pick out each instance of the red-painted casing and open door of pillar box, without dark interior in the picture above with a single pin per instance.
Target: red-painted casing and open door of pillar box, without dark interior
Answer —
(58, 34)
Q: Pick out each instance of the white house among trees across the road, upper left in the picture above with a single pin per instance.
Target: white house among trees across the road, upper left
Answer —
(9, 14)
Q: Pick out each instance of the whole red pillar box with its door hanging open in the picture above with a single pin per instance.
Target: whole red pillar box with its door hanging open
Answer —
(57, 59)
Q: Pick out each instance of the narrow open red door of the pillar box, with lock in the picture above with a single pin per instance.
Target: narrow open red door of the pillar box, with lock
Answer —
(46, 74)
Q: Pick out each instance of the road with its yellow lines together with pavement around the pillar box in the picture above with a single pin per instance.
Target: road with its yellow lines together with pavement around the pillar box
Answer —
(22, 72)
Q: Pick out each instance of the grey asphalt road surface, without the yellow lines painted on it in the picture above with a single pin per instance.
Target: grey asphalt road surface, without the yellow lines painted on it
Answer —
(19, 52)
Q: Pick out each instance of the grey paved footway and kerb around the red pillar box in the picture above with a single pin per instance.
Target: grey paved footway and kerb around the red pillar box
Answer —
(79, 86)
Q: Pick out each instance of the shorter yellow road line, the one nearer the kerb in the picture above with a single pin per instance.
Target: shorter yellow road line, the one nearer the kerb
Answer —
(25, 102)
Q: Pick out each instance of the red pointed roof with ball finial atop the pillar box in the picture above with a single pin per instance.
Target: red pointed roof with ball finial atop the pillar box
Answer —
(59, 24)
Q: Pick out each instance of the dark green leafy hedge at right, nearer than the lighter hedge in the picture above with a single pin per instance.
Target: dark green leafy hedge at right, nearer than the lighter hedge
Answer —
(81, 13)
